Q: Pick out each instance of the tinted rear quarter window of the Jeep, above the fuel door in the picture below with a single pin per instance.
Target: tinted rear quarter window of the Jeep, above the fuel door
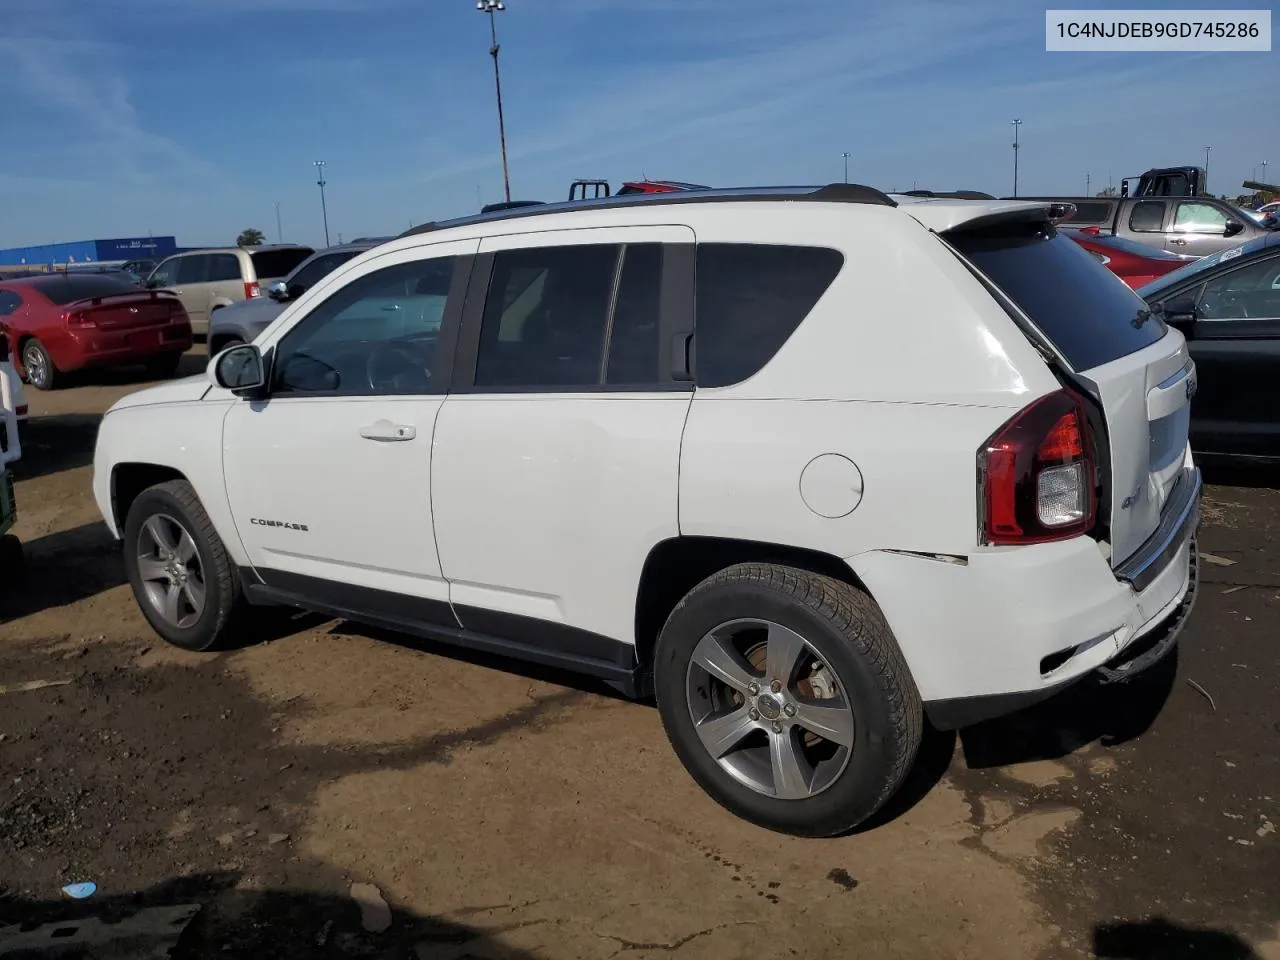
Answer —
(751, 299)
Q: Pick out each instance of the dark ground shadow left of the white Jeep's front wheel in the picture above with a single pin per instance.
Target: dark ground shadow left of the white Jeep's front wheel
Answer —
(61, 569)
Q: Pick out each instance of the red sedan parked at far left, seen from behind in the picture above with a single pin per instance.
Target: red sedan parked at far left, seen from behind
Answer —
(60, 323)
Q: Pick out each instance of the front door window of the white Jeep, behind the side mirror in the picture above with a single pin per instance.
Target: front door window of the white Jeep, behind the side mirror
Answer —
(376, 336)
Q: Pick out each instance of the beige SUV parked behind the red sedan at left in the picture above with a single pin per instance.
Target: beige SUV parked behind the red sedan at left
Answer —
(211, 280)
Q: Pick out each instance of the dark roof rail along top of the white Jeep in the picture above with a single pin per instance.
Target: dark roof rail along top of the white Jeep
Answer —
(831, 194)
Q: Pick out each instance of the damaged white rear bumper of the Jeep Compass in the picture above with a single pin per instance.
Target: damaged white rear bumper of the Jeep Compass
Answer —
(1013, 627)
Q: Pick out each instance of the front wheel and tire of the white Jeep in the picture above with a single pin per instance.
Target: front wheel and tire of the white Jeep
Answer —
(182, 578)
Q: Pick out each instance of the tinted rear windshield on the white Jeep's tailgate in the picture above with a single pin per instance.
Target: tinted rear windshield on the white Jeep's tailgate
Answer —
(1071, 298)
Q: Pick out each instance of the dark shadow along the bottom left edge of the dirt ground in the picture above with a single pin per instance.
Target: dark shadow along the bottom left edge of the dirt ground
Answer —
(232, 921)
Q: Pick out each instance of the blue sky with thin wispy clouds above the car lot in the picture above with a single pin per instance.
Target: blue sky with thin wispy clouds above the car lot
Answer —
(195, 117)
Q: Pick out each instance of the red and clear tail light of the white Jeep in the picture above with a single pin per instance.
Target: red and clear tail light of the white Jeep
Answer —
(1037, 476)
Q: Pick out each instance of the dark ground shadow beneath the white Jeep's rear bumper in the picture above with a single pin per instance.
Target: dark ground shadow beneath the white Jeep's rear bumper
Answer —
(1084, 714)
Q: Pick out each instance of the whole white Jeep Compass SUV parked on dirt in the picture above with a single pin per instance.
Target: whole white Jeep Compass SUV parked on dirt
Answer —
(807, 465)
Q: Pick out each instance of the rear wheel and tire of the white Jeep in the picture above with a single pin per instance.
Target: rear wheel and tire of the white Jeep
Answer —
(788, 700)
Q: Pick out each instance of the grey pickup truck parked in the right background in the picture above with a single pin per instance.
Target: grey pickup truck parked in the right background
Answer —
(1188, 226)
